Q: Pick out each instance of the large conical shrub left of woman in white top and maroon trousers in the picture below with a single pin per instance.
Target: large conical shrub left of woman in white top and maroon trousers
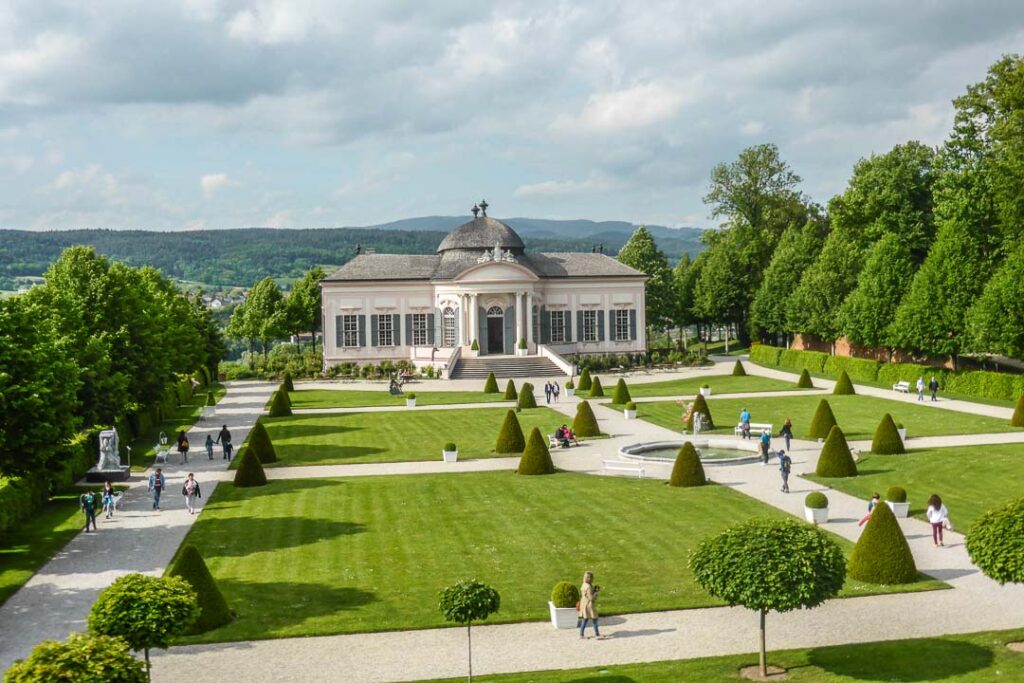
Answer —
(882, 554)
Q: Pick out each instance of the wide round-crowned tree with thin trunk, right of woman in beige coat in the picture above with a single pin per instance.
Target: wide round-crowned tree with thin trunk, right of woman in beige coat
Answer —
(771, 566)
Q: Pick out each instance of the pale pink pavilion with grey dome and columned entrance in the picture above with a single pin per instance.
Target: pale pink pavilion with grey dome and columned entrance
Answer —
(525, 311)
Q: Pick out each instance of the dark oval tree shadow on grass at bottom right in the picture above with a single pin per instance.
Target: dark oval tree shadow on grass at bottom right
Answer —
(911, 661)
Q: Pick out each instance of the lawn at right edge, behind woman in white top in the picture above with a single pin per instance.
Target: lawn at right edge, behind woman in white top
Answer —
(970, 480)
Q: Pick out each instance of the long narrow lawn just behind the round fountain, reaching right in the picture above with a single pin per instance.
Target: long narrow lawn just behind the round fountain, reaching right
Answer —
(859, 416)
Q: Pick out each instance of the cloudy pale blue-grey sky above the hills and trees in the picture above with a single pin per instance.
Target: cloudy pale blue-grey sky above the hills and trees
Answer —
(325, 113)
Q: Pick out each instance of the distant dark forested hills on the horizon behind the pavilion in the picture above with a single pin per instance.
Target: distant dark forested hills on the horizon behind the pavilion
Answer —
(240, 258)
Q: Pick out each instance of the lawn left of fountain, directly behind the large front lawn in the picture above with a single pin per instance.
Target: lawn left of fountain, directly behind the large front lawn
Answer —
(343, 439)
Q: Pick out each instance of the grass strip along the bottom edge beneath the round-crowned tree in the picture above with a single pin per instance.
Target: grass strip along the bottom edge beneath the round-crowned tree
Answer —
(979, 658)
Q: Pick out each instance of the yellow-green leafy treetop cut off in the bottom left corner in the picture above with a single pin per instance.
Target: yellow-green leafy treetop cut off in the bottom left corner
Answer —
(82, 659)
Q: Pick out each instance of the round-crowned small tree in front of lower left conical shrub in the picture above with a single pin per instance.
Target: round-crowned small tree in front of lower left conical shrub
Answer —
(147, 612)
